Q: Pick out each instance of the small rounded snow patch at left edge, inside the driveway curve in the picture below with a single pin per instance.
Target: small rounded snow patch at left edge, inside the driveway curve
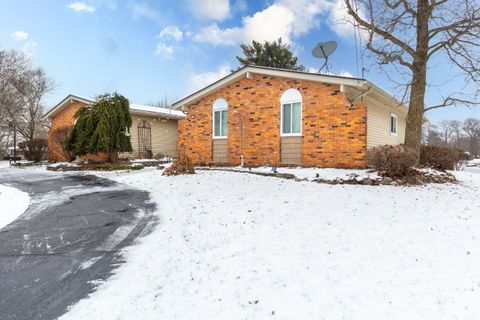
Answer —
(13, 203)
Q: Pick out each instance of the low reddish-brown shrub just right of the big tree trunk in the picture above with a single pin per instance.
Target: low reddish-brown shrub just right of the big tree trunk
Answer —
(442, 158)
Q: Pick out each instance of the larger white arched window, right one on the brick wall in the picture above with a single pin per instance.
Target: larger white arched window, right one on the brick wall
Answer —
(291, 109)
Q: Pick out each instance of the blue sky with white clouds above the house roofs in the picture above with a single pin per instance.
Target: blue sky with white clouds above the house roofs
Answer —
(147, 50)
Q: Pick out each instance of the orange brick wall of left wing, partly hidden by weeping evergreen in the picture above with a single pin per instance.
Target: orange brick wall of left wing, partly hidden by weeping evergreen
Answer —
(65, 119)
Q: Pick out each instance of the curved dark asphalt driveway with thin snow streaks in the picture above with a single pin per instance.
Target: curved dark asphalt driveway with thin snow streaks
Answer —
(69, 238)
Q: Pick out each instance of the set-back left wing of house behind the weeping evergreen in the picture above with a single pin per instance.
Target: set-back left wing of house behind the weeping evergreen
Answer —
(153, 131)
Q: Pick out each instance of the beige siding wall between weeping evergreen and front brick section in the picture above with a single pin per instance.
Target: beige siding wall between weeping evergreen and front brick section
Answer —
(164, 134)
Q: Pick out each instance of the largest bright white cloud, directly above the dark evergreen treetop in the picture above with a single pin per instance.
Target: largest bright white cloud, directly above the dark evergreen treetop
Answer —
(284, 19)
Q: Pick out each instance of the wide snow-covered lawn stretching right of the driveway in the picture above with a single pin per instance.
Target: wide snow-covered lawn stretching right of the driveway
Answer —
(238, 246)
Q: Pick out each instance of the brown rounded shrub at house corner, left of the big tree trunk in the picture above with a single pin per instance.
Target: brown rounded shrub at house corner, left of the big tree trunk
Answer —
(392, 161)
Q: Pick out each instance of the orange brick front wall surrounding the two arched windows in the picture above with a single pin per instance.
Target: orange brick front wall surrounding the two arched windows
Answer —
(334, 133)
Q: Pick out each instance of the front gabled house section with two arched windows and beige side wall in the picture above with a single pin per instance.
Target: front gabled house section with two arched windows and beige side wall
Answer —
(268, 116)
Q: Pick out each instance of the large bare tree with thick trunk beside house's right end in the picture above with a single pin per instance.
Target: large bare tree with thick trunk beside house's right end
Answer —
(409, 34)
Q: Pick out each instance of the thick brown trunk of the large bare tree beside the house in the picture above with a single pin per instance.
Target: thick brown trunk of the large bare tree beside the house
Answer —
(413, 133)
